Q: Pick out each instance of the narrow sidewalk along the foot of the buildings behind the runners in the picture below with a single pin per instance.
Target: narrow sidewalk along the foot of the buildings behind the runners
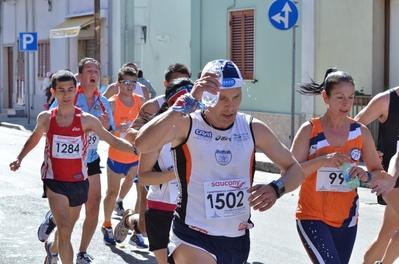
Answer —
(21, 123)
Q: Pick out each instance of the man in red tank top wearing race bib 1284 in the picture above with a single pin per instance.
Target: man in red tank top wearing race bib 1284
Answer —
(64, 171)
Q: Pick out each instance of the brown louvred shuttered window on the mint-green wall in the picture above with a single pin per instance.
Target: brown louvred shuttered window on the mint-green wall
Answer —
(242, 36)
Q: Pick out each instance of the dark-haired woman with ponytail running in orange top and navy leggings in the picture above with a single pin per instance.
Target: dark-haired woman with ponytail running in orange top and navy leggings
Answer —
(327, 212)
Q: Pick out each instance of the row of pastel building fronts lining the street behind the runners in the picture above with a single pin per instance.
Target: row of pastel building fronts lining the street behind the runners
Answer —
(356, 36)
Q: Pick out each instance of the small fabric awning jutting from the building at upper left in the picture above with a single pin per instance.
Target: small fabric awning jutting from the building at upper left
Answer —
(71, 27)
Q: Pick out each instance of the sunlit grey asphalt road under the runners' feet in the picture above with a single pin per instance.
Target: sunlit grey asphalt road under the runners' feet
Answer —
(273, 239)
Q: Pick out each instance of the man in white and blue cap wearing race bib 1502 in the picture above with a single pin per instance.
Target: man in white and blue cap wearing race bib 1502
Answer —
(214, 158)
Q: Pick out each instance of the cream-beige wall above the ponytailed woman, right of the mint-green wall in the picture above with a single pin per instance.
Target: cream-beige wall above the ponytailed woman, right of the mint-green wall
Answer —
(349, 36)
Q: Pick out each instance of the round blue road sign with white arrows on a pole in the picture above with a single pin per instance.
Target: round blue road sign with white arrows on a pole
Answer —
(283, 14)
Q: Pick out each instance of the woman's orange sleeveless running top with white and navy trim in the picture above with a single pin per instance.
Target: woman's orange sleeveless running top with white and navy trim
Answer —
(322, 195)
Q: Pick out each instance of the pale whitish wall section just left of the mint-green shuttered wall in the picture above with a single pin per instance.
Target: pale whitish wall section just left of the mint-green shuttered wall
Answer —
(168, 36)
